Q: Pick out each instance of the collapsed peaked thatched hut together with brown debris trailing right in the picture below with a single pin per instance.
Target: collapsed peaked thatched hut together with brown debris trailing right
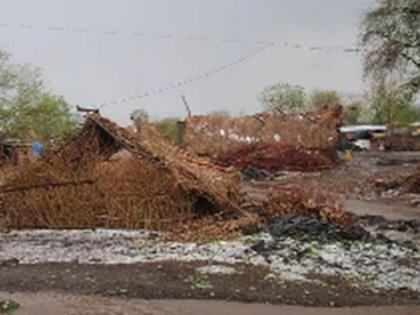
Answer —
(107, 176)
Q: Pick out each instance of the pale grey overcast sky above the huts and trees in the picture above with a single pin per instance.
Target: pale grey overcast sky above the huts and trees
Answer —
(90, 68)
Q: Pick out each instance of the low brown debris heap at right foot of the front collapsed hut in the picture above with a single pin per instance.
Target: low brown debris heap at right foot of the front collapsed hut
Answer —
(260, 212)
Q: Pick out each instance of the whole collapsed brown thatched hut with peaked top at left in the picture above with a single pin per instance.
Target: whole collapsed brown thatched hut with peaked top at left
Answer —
(86, 183)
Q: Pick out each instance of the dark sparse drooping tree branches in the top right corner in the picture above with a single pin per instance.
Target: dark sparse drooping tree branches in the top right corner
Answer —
(390, 36)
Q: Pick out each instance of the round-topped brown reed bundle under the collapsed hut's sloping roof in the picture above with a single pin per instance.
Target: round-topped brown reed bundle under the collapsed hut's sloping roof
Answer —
(138, 195)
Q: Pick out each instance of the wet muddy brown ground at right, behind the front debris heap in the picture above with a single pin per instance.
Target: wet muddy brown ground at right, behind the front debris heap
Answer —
(357, 182)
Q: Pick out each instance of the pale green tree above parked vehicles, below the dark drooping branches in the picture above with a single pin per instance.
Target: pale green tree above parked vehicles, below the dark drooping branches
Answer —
(390, 104)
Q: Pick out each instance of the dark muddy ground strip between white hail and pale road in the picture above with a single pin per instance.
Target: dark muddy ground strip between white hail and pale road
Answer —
(180, 281)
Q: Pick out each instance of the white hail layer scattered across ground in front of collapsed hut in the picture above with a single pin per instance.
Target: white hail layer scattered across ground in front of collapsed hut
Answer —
(377, 265)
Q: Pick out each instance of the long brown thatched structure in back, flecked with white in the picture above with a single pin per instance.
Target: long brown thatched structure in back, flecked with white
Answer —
(272, 141)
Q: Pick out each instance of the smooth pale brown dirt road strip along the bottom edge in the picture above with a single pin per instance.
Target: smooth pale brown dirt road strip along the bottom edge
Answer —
(49, 303)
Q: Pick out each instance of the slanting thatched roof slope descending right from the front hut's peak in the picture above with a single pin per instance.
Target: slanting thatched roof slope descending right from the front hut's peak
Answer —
(196, 176)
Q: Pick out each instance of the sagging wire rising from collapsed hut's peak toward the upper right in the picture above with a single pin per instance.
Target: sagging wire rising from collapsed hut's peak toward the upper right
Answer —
(196, 78)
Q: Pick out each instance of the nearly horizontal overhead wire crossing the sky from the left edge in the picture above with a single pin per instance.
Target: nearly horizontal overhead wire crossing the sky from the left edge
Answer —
(168, 36)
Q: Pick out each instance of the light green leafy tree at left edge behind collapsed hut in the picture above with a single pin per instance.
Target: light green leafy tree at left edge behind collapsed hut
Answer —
(27, 111)
